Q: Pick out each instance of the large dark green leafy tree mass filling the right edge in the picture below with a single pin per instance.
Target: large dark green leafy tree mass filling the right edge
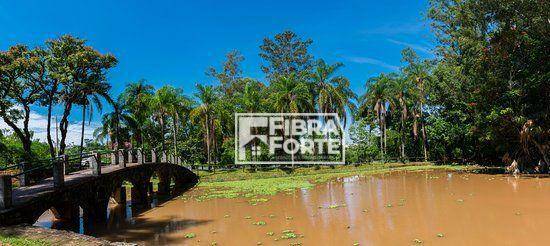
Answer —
(496, 50)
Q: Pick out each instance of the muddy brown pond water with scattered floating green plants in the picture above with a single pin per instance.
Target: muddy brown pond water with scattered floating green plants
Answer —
(398, 208)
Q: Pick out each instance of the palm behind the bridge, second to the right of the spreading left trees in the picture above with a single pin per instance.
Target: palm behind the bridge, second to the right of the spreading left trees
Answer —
(135, 100)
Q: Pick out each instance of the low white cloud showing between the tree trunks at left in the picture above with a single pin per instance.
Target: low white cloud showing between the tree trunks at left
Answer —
(38, 123)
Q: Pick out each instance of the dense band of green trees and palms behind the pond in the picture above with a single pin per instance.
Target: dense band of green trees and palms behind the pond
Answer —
(483, 98)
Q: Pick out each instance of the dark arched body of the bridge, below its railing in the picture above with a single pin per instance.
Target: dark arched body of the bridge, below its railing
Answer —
(92, 192)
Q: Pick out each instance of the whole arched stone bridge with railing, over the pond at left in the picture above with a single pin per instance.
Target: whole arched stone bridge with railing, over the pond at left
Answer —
(91, 189)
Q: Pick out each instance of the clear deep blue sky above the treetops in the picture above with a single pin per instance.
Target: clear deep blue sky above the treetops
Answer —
(174, 42)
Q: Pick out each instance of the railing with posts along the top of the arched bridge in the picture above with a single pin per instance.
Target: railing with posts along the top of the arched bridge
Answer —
(57, 168)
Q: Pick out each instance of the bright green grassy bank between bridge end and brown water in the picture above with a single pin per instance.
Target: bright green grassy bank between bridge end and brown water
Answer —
(259, 184)
